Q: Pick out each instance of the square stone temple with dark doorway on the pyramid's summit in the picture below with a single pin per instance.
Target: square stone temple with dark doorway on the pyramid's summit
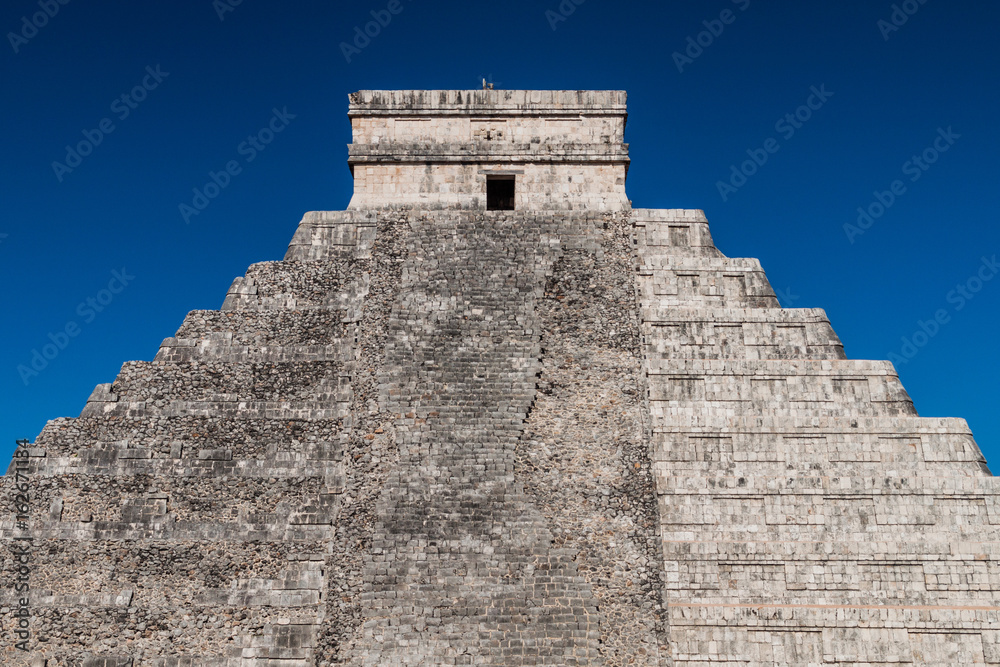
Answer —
(489, 149)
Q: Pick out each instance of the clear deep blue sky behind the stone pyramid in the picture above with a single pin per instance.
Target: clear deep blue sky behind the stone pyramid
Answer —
(219, 81)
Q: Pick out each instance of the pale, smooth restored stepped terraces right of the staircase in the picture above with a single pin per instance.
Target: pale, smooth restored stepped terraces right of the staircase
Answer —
(808, 516)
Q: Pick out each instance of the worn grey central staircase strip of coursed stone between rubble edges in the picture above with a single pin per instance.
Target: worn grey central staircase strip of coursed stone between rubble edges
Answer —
(462, 569)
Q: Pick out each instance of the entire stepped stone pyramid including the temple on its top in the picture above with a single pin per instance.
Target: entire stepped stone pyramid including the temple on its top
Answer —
(493, 415)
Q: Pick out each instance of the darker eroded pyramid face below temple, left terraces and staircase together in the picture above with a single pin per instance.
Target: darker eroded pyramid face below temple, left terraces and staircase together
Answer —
(417, 440)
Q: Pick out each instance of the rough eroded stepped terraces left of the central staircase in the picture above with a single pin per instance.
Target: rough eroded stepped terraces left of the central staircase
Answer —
(210, 508)
